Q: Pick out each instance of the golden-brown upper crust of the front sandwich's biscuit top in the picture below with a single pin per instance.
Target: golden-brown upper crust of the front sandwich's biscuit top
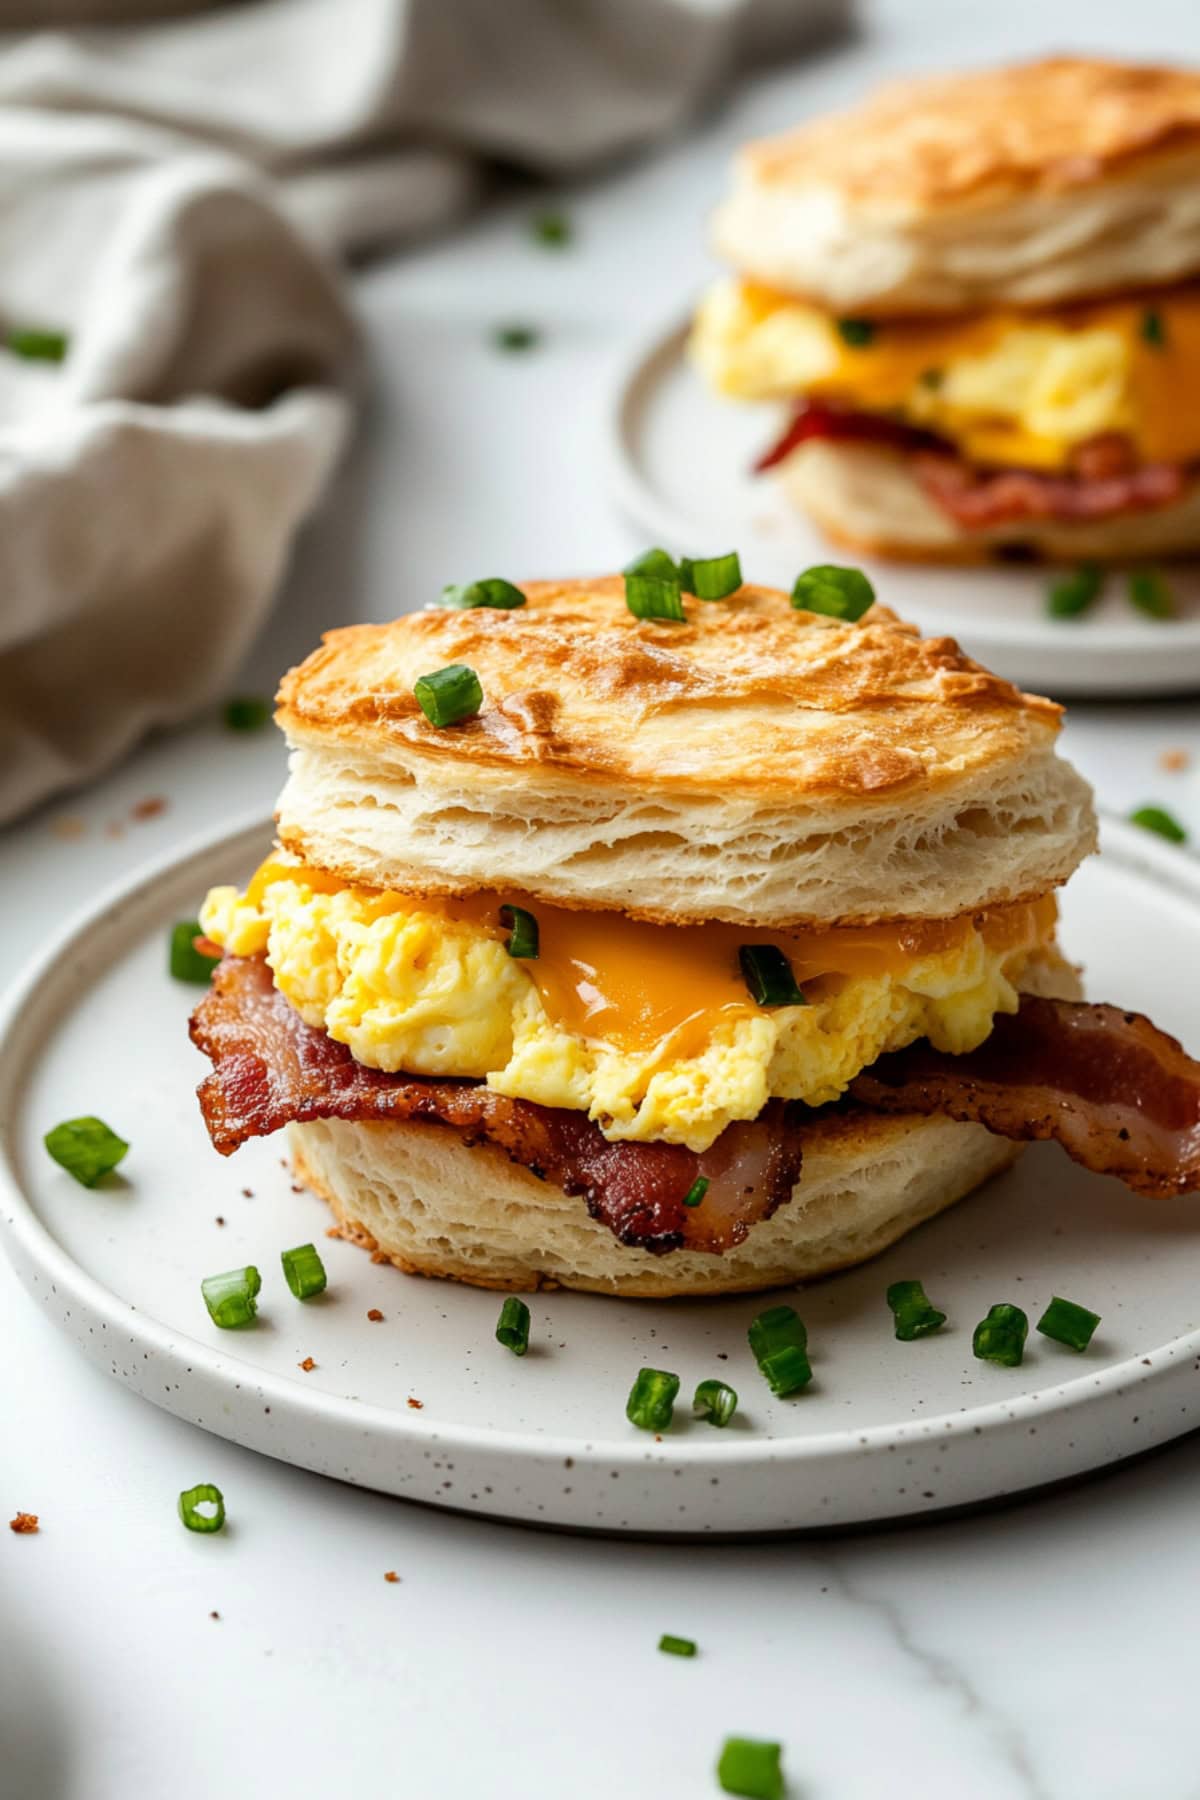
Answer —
(746, 697)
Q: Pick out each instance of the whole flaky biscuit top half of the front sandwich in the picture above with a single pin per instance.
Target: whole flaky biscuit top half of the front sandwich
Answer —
(755, 764)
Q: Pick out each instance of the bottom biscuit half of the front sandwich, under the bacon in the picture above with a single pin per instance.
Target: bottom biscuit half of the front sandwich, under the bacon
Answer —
(431, 1205)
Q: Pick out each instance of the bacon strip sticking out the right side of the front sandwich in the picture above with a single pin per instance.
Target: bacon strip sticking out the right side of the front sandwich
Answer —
(1118, 1093)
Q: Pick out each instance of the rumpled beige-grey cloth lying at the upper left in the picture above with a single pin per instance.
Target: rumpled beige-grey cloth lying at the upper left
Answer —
(175, 195)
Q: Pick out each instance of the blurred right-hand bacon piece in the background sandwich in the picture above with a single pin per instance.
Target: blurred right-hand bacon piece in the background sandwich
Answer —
(999, 498)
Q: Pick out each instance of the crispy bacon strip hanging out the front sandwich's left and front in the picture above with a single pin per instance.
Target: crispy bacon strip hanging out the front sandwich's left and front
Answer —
(271, 1068)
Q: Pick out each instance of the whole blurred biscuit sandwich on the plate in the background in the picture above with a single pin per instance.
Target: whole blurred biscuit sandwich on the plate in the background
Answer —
(980, 300)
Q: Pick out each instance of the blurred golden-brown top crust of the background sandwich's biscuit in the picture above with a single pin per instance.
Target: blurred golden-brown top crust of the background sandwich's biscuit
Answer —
(972, 139)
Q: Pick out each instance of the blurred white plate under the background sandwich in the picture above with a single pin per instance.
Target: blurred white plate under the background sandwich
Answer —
(681, 467)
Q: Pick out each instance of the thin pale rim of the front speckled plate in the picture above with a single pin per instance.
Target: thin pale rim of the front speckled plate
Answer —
(1122, 841)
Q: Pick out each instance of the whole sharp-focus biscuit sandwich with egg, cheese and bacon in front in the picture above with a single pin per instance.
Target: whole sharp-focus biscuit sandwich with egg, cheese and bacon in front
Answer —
(647, 944)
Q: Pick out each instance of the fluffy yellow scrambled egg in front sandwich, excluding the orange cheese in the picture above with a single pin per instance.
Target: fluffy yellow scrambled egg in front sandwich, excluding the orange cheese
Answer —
(407, 985)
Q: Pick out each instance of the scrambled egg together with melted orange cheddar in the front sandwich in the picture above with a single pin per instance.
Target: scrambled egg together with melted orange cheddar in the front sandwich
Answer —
(649, 1029)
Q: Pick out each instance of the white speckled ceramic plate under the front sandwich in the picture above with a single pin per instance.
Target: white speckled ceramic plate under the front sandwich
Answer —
(886, 1430)
